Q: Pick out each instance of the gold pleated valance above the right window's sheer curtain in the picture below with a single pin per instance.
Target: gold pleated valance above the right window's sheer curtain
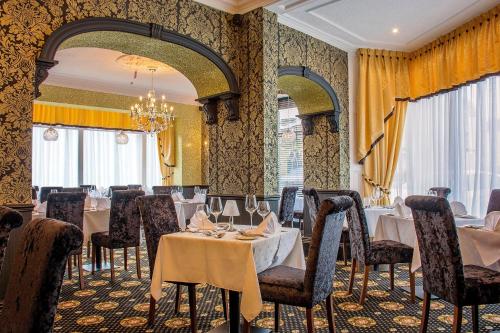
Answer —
(466, 54)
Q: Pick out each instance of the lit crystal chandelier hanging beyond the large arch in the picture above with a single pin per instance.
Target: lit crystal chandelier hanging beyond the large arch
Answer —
(152, 115)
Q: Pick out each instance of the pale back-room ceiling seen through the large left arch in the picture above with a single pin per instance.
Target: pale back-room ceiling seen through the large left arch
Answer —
(105, 74)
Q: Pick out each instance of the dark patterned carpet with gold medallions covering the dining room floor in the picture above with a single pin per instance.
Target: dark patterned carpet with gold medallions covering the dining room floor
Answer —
(123, 306)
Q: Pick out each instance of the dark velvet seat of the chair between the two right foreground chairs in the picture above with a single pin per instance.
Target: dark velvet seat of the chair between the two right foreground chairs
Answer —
(389, 252)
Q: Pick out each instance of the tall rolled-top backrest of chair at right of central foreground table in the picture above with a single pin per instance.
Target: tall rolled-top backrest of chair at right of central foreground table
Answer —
(325, 241)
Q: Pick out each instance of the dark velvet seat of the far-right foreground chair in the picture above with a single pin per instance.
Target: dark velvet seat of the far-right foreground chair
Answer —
(482, 285)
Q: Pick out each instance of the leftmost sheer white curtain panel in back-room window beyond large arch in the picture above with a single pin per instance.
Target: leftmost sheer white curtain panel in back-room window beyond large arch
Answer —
(55, 163)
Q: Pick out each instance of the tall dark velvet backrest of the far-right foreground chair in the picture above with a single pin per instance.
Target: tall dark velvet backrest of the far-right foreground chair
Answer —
(442, 266)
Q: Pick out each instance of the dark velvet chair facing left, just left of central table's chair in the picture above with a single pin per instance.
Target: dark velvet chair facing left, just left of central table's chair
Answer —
(124, 230)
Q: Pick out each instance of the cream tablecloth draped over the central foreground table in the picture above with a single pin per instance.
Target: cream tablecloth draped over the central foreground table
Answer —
(225, 263)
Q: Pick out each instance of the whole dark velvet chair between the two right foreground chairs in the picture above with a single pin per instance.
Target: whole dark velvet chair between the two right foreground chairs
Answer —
(367, 253)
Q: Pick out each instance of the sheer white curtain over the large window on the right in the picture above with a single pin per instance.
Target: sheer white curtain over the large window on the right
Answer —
(453, 140)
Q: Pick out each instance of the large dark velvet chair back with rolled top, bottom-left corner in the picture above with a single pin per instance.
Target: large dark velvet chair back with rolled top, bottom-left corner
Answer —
(30, 302)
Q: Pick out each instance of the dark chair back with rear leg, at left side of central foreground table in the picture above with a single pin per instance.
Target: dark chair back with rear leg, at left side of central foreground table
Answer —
(158, 218)
